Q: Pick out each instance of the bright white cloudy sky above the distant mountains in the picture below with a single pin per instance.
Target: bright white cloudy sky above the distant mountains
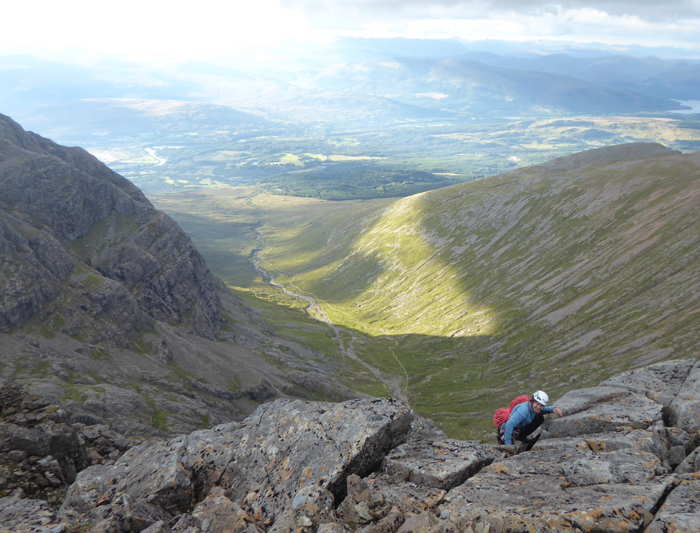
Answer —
(211, 30)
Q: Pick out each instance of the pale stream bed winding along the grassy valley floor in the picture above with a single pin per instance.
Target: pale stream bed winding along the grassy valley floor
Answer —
(316, 311)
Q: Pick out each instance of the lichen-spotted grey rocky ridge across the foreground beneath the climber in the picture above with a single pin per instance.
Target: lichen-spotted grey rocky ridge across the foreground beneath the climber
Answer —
(624, 457)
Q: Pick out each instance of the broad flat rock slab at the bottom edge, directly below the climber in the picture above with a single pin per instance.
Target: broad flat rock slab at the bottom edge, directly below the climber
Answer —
(561, 490)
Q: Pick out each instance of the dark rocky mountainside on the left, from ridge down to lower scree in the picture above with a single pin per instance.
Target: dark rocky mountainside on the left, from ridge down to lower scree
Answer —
(108, 310)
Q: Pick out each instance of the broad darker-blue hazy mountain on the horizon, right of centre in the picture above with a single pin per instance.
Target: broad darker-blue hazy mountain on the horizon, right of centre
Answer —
(474, 88)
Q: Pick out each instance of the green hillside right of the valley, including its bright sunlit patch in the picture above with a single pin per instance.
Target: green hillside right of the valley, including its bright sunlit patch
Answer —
(553, 276)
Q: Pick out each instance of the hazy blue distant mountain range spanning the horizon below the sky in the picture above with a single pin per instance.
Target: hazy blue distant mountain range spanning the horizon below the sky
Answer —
(355, 82)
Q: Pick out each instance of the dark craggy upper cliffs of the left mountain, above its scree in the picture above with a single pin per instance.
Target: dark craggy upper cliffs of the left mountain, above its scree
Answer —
(69, 226)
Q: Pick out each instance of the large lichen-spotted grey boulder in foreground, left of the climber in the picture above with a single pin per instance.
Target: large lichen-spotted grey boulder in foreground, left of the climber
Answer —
(286, 452)
